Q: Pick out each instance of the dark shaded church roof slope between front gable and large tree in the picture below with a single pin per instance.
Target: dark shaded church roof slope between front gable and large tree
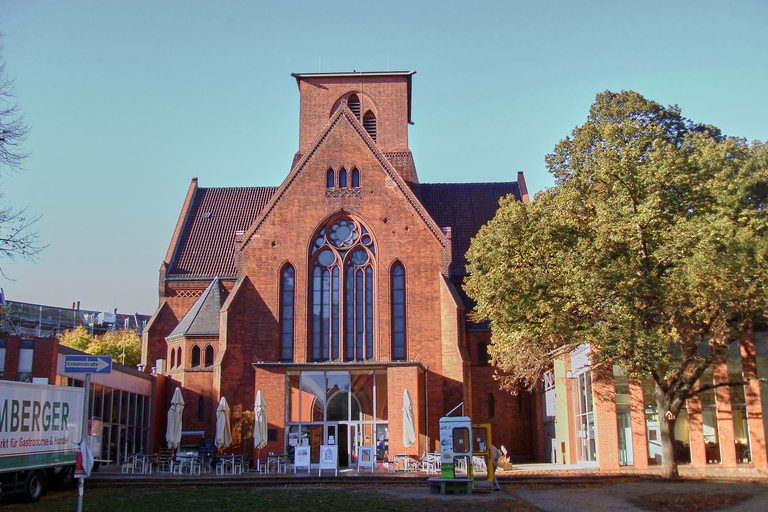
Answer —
(465, 208)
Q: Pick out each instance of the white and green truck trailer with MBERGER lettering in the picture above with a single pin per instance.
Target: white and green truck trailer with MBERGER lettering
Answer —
(40, 428)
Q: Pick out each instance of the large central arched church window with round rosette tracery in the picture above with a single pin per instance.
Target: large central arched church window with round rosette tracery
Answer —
(343, 257)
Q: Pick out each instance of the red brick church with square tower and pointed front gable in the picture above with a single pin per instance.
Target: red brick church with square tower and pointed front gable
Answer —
(336, 292)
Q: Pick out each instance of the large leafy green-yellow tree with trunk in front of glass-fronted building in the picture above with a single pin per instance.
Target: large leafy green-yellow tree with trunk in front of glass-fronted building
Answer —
(652, 247)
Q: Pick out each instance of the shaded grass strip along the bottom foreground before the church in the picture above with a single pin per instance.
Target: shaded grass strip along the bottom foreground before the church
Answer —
(299, 499)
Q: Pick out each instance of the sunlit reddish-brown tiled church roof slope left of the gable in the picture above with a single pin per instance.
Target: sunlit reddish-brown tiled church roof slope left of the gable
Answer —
(206, 243)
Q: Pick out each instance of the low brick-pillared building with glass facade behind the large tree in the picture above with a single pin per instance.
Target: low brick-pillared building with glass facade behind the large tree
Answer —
(598, 416)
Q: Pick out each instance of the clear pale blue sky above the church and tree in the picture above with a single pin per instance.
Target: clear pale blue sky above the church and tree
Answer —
(128, 100)
